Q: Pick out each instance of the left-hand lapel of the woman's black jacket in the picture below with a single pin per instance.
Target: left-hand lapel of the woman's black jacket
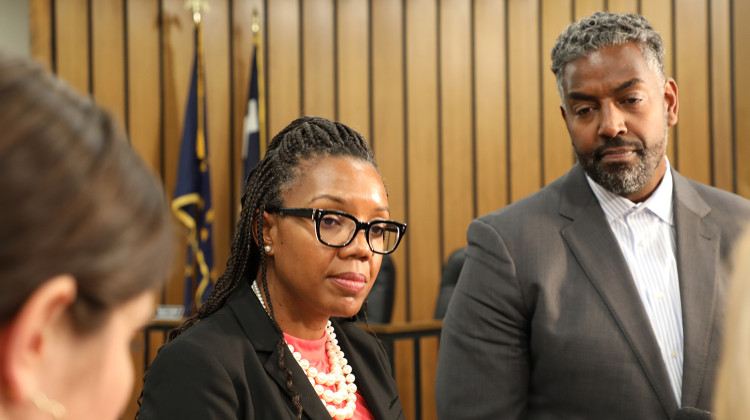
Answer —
(263, 336)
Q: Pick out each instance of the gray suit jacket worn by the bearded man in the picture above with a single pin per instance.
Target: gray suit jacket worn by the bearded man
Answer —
(546, 321)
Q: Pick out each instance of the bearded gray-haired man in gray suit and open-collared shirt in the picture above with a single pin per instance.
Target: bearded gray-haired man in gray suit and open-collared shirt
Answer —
(600, 296)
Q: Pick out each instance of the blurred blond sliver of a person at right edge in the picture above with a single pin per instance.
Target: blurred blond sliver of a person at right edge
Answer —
(732, 399)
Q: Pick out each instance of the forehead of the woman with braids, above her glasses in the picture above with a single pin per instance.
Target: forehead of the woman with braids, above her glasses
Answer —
(345, 178)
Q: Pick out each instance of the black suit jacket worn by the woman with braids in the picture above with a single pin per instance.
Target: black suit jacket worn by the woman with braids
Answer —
(226, 367)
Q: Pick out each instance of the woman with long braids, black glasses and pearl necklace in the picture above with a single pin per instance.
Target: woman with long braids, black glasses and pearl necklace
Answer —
(275, 339)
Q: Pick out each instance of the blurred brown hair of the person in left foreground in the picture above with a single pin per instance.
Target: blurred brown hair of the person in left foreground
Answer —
(74, 199)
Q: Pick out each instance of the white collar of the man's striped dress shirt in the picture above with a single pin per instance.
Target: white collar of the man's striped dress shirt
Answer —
(615, 206)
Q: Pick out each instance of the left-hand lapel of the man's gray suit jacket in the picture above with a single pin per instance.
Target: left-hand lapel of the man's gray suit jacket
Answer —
(595, 247)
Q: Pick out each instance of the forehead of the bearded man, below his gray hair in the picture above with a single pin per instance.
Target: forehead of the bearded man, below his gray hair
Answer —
(608, 67)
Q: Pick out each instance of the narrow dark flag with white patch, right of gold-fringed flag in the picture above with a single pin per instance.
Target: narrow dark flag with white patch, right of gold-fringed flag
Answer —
(251, 124)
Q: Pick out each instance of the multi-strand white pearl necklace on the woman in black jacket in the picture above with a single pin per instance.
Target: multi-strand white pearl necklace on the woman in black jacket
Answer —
(340, 377)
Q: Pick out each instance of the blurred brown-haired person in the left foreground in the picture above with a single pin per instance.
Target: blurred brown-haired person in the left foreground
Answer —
(85, 238)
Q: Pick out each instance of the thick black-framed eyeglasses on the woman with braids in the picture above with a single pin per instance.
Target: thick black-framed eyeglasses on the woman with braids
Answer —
(338, 229)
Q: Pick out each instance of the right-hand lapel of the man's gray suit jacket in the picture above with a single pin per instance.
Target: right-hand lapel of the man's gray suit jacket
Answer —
(697, 259)
